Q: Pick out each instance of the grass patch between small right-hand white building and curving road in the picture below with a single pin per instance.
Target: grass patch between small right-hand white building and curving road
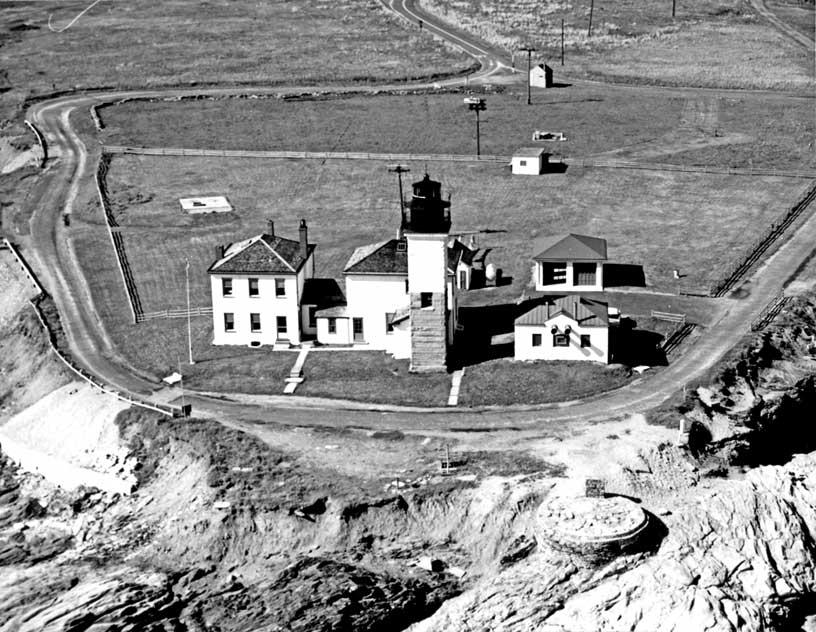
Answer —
(505, 382)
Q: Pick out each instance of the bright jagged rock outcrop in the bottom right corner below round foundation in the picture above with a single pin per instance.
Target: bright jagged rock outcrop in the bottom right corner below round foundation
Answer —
(739, 556)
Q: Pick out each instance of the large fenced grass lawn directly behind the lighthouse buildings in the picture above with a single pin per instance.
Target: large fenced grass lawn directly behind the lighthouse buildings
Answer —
(660, 220)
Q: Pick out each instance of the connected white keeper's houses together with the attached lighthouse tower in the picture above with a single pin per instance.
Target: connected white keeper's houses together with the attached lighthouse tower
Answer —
(401, 294)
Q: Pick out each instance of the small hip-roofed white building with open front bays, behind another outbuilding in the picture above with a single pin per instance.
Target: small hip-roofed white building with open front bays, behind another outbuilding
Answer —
(569, 263)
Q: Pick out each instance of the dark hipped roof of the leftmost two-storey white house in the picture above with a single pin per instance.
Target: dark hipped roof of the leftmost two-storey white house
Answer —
(262, 254)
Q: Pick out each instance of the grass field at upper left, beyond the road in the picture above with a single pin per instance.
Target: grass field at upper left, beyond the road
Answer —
(142, 43)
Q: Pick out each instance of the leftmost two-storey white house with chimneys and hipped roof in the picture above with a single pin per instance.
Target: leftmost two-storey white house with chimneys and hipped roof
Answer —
(257, 289)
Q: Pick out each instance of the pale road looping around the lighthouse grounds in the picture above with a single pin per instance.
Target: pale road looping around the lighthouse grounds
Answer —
(60, 273)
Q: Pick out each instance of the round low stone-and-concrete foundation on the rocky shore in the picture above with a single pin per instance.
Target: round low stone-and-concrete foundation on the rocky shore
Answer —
(610, 525)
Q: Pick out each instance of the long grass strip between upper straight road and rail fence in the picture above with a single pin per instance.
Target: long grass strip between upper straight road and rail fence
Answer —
(712, 130)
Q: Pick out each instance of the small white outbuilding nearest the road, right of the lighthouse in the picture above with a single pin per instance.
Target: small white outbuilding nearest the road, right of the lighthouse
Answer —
(564, 328)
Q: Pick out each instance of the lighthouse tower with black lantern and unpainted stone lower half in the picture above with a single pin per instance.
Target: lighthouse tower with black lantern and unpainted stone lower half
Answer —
(426, 224)
